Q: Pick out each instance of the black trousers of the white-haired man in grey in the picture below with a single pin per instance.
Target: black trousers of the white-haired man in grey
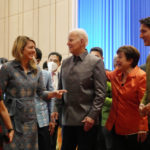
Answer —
(75, 136)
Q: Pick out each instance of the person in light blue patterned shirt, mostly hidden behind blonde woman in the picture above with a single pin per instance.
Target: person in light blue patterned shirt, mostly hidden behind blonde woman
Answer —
(45, 127)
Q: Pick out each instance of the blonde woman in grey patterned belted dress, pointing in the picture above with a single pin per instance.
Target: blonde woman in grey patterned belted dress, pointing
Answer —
(20, 80)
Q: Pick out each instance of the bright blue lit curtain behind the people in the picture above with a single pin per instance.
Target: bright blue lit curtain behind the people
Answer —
(113, 23)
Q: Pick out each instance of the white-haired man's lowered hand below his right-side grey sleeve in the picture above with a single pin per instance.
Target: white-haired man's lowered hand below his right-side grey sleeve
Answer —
(88, 123)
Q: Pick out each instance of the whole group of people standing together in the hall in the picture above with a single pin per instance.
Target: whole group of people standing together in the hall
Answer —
(80, 105)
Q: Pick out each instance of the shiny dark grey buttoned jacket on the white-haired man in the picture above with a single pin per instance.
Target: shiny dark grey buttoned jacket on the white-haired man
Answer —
(85, 81)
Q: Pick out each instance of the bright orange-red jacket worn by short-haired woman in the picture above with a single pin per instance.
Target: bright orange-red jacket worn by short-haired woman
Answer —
(124, 112)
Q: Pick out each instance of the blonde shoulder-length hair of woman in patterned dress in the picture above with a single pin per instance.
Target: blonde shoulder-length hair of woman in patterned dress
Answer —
(17, 51)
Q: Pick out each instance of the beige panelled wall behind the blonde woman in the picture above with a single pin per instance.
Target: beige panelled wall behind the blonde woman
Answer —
(46, 21)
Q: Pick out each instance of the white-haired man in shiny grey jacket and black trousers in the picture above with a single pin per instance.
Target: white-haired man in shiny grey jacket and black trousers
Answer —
(83, 76)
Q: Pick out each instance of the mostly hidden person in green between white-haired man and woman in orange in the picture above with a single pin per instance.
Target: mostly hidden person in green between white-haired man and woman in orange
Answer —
(104, 139)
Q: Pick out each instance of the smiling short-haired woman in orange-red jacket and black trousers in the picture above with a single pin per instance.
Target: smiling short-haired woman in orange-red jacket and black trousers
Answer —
(128, 87)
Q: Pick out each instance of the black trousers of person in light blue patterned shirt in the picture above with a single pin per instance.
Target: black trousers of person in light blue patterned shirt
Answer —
(44, 138)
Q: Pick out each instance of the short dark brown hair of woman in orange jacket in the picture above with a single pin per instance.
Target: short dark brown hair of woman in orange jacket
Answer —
(130, 53)
